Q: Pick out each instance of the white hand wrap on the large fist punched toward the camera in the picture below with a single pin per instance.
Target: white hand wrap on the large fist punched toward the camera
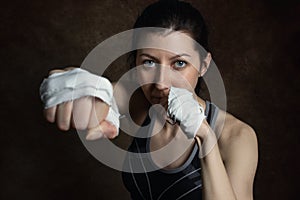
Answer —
(77, 83)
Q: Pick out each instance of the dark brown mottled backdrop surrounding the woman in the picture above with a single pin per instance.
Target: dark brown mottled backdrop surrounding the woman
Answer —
(255, 45)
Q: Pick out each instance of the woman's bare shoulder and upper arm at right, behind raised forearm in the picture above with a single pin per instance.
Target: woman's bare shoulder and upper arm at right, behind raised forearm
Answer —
(239, 151)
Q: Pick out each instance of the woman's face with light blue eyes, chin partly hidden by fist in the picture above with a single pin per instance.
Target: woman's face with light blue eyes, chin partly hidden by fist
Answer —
(173, 62)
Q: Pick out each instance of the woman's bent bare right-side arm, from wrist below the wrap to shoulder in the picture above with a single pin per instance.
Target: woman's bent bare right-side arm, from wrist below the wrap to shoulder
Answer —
(228, 172)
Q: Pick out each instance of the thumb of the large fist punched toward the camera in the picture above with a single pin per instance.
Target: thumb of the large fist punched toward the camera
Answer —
(104, 130)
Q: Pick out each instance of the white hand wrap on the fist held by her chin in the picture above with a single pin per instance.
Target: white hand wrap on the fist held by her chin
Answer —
(183, 108)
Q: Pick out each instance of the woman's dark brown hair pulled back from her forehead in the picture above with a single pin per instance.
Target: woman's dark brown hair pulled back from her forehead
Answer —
(178, 16)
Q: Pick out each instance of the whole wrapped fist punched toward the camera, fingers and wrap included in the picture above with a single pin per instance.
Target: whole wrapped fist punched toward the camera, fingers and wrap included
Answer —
(82, 100)
